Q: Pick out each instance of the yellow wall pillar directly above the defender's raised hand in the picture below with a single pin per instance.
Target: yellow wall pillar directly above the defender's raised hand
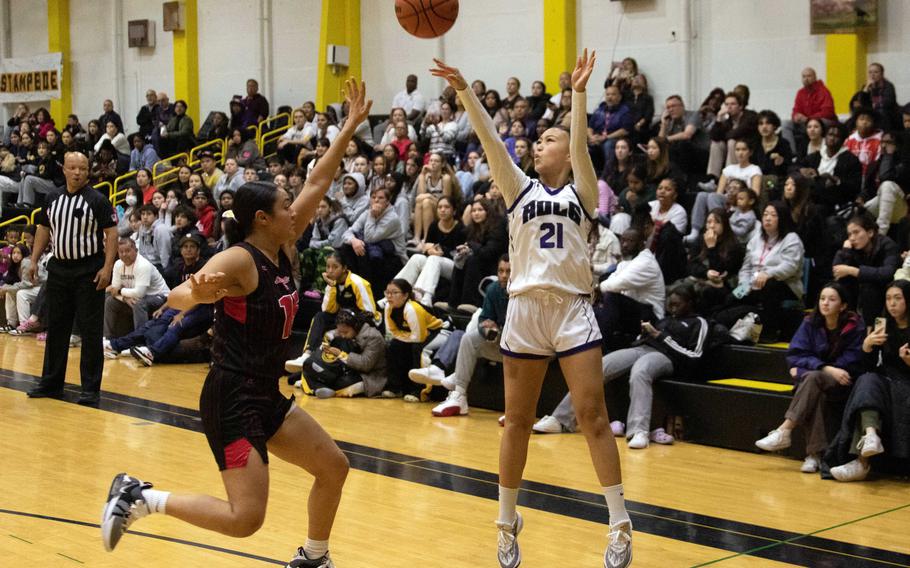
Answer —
(340, 26)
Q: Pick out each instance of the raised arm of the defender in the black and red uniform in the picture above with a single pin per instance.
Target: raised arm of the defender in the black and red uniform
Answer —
(320, 179)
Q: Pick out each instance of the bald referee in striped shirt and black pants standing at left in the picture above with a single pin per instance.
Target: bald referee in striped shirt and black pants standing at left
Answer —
(82, 227)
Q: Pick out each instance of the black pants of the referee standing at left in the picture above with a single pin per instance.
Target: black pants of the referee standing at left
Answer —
(71, 294)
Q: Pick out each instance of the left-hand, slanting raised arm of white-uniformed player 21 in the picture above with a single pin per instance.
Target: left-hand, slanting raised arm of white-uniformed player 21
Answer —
(506, 174)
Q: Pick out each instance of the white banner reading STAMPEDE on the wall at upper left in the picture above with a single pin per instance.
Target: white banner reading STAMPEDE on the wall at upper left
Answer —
(36, 78)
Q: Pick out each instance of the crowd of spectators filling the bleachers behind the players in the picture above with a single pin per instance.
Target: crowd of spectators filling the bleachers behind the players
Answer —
(709, 219)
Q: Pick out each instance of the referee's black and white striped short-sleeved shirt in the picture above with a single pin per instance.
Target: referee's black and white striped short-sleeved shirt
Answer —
(77, 222)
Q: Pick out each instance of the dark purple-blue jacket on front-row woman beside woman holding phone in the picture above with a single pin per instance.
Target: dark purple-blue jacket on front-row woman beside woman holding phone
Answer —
(809, 350)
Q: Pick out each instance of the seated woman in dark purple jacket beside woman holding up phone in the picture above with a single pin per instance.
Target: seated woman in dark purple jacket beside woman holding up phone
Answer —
(825, 356)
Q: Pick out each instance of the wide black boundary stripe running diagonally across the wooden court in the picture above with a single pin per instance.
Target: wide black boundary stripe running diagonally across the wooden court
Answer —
(715, 532)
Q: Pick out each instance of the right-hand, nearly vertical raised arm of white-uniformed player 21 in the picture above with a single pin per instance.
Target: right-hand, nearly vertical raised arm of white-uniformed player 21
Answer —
(582, 168)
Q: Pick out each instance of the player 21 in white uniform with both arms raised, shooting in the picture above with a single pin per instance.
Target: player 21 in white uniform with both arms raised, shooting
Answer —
(550, 310)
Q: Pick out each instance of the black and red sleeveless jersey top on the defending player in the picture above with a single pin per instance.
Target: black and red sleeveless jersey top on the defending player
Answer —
(252, 331)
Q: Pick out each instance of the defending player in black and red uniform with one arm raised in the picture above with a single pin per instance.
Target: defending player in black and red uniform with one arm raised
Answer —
(243, 413)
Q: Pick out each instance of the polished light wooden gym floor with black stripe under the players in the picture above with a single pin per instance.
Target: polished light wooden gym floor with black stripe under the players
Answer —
(421, 490)
